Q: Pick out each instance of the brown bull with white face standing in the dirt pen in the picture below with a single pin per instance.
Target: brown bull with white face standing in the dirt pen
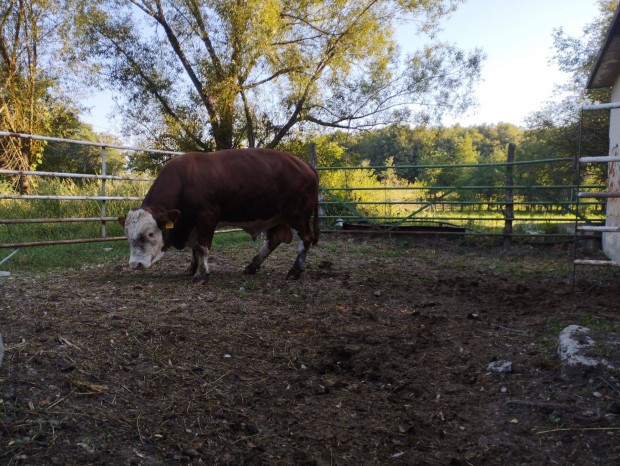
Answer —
(258, 190)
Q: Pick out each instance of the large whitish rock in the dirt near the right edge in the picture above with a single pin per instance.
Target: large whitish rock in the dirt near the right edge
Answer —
(580, 353)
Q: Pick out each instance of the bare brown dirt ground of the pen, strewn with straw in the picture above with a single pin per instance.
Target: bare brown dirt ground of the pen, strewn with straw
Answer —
(378, 355)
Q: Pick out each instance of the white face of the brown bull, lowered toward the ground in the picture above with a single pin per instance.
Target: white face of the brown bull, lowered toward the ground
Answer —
(145, 239)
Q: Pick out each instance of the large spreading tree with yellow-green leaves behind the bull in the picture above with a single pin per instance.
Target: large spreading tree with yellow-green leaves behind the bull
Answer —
(228, 73)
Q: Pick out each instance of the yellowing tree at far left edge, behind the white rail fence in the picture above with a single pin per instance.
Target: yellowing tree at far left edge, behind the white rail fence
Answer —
(28, 95)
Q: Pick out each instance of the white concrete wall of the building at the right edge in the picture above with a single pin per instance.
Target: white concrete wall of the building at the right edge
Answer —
(611, 241)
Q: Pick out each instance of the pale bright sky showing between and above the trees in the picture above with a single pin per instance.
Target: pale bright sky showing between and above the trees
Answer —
(516, 77)
